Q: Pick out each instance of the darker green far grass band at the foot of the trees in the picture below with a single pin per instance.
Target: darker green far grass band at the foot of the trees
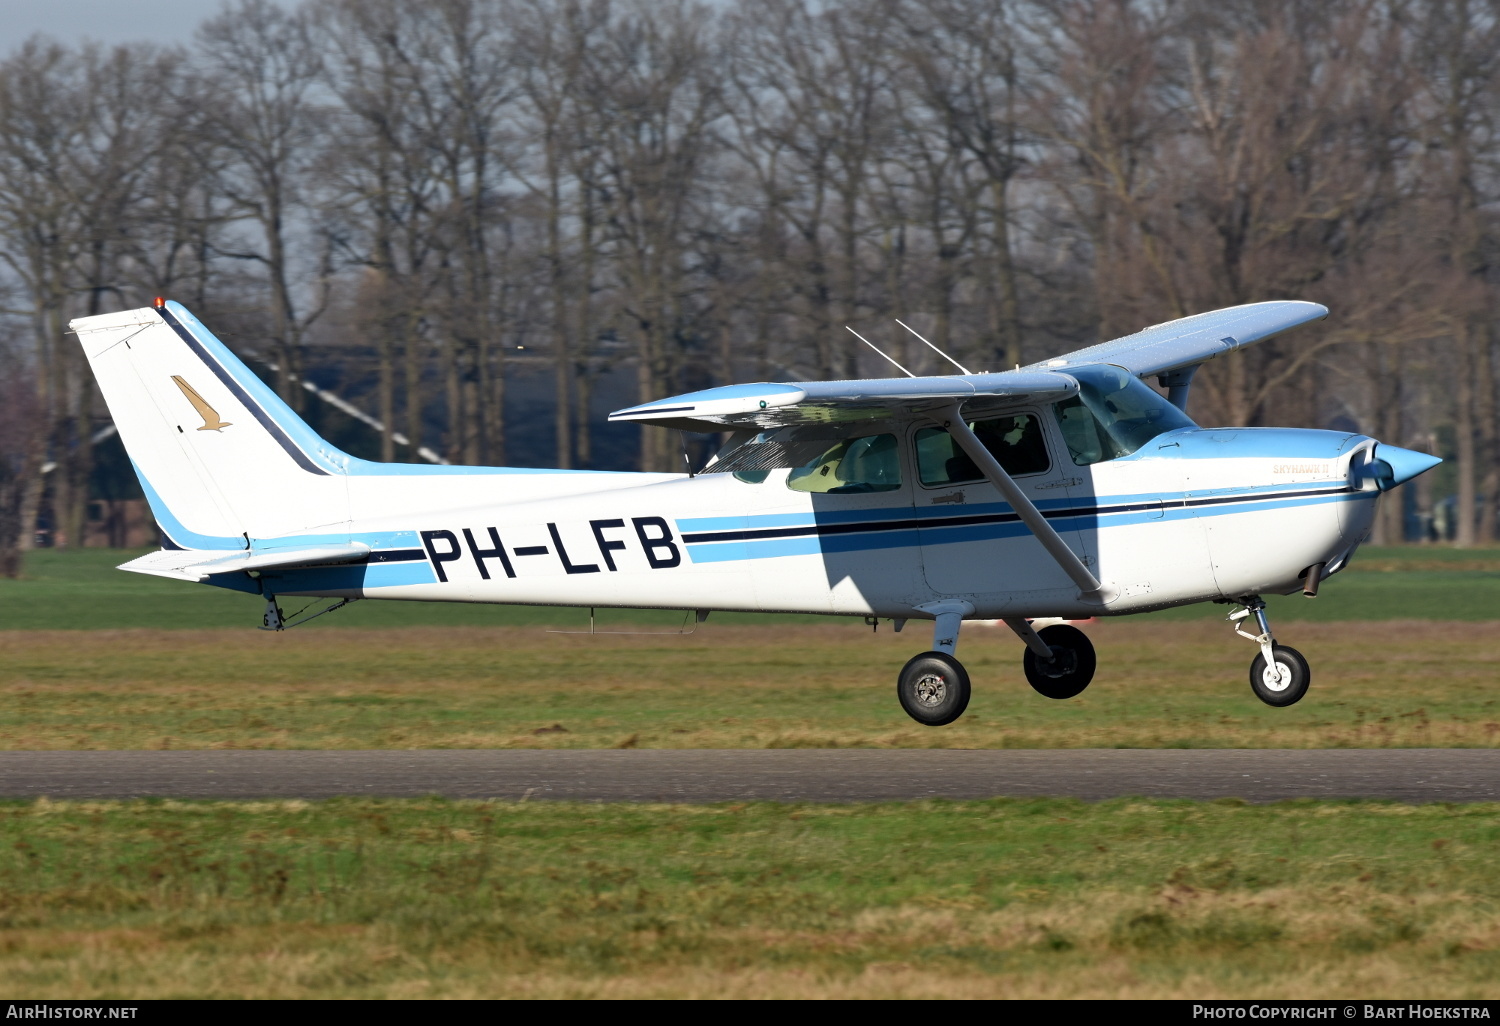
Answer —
(82, 590)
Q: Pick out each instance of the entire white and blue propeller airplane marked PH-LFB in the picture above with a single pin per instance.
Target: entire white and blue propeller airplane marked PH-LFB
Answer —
(1066, 490)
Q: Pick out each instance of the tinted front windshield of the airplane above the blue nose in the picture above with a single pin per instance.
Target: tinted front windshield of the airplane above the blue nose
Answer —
(1114, 415)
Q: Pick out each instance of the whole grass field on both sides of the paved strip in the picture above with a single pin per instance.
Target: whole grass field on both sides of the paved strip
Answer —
(413, 899)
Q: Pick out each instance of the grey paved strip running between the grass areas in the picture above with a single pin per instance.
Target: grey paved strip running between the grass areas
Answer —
(1403, 775)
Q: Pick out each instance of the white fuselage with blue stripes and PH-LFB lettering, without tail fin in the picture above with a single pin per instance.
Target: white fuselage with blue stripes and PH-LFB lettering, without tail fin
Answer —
(1193, 515)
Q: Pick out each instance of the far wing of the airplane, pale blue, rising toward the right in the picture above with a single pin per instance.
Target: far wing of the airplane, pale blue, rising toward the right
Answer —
(1190, 341)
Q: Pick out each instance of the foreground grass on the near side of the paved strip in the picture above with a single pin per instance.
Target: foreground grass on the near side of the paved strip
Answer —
(424, 899)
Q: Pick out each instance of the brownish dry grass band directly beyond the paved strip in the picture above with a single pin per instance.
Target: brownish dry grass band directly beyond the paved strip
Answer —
(1160, 685)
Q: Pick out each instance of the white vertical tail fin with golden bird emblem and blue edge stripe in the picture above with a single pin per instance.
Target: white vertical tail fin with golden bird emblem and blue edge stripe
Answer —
(223, 460)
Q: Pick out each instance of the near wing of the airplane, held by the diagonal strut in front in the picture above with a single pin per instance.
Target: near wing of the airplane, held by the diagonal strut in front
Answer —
(767, 406)
